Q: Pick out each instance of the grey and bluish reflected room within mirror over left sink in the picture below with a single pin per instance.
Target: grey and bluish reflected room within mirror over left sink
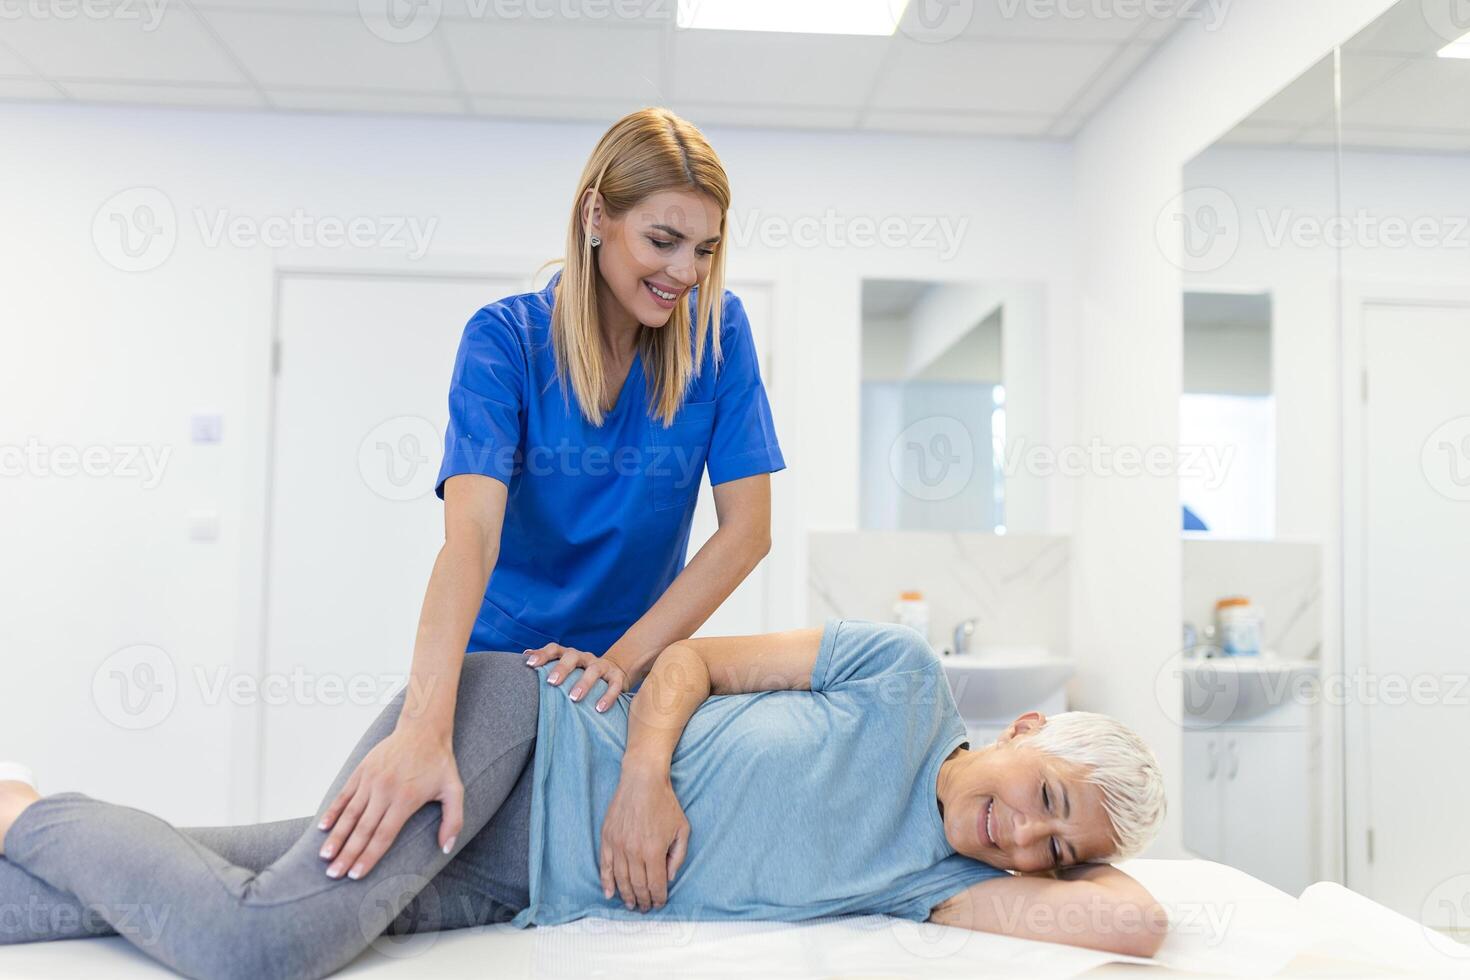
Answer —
(933, 408)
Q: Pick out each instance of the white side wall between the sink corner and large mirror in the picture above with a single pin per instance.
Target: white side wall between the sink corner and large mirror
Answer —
(1130, 161)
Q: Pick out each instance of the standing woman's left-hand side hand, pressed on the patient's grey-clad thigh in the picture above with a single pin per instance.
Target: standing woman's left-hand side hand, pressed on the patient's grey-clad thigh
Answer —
(404, 772)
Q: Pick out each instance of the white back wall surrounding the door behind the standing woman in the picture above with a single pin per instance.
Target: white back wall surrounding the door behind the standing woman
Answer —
(96, 356)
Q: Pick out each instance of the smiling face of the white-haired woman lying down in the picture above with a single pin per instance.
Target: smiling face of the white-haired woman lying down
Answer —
(1019, 809)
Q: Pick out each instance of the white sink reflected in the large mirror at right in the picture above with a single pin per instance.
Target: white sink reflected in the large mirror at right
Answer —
(1240, 688)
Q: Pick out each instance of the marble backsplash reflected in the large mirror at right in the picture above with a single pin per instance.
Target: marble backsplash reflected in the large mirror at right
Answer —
(1283, 578)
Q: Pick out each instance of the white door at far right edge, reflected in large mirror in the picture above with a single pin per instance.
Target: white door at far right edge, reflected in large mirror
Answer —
(1416, 565)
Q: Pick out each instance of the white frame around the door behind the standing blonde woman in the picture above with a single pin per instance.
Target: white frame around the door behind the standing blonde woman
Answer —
(259, 439)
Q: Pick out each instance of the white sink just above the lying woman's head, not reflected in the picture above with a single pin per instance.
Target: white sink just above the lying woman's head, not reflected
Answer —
(997, 684)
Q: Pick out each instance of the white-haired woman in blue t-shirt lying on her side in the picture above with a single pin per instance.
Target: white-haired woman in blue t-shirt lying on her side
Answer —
(781, 778)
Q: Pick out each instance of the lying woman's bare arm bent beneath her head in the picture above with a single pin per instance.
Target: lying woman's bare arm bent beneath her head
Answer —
(1093, 906)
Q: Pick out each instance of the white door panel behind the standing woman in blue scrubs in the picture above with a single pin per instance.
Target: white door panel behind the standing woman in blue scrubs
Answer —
(355, 524)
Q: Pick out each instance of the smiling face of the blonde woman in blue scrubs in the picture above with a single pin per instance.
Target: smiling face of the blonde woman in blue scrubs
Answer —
(655, 253)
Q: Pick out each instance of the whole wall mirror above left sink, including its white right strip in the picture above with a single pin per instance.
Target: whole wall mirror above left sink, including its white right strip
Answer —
(950, 389)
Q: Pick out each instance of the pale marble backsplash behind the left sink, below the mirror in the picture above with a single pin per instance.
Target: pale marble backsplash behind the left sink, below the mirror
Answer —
(1014, 586)
